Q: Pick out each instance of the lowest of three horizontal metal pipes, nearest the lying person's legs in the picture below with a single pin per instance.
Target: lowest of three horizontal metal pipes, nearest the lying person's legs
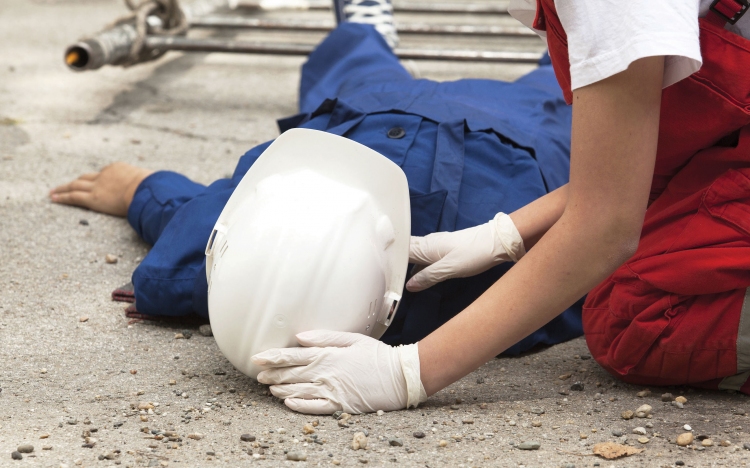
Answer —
(162, 44)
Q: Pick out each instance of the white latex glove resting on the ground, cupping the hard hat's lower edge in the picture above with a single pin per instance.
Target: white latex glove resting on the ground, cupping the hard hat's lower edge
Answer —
(339, 371)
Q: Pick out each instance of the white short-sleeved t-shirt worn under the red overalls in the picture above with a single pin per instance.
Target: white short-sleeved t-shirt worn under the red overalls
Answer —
(606, 36)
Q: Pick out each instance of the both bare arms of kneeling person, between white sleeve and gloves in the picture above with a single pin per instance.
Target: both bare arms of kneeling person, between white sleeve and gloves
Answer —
(615, 131)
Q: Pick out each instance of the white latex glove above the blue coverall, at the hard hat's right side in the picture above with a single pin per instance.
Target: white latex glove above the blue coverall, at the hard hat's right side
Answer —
(464, 253)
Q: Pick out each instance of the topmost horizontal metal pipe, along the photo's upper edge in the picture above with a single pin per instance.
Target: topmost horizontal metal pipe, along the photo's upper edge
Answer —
(403, 7)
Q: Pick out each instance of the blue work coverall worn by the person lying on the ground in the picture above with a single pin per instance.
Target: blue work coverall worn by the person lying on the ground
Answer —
(469, 149)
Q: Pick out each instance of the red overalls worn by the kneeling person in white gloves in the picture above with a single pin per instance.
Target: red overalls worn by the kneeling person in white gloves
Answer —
(678, 312)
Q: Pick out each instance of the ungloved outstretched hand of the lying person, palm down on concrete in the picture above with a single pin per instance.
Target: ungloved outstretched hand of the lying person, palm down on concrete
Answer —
(109, 191)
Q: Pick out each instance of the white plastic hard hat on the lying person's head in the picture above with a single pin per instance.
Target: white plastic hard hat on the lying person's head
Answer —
(315, 236)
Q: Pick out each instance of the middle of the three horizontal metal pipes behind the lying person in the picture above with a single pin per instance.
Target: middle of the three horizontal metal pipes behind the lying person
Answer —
(325, 26)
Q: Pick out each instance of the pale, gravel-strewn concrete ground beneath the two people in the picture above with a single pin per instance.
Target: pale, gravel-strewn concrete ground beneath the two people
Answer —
(72, 366)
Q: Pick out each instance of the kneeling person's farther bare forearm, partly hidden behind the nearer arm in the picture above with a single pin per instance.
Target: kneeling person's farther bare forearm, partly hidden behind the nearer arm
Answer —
(536, 218)
